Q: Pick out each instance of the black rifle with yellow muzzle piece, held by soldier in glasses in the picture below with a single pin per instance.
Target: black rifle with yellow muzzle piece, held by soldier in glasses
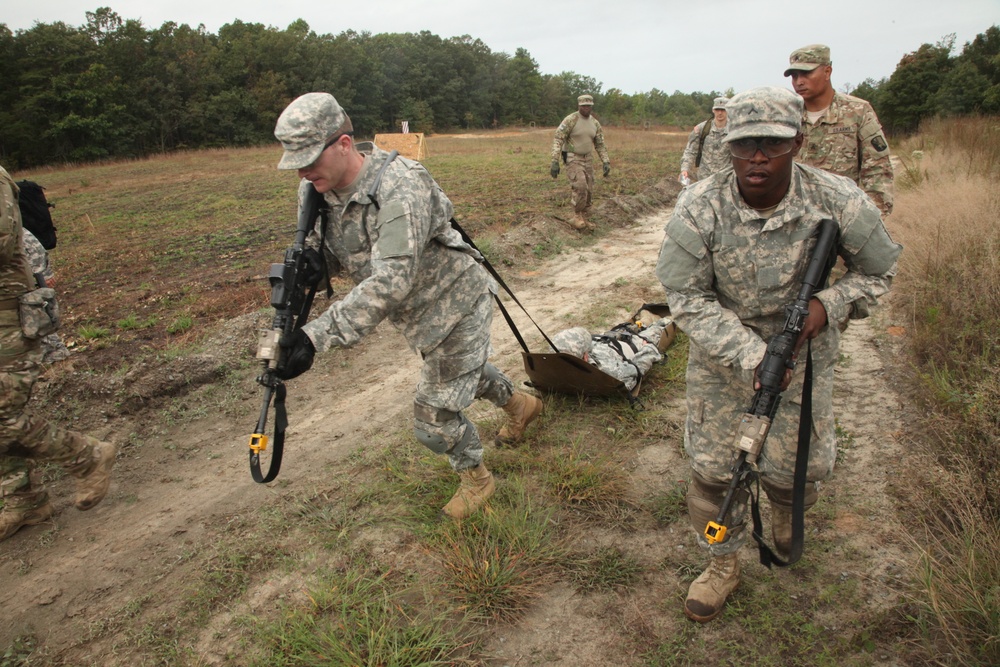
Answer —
(753, 427)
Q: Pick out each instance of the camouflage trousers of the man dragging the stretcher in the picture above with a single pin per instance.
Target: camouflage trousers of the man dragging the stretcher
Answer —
(454, 374)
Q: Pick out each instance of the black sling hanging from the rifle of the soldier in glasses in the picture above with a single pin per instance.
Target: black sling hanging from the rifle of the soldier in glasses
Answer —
(767, 556)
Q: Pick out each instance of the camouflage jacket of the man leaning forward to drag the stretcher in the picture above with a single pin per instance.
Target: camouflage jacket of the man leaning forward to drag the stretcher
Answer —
(407, 262)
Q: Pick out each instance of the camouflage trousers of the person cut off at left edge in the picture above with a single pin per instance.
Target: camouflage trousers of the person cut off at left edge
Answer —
(26, 438)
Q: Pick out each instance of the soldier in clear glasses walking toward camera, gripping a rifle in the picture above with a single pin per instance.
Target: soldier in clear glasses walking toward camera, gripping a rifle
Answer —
(734, 254)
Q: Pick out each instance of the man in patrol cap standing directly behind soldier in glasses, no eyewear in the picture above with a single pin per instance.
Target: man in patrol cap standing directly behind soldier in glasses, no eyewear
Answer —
(842, 132)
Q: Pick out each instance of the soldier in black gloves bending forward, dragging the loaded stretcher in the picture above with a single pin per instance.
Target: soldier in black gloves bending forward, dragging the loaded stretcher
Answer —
(390, 230)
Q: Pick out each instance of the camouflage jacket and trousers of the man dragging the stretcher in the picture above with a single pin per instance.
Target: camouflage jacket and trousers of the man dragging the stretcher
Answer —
(412, 267)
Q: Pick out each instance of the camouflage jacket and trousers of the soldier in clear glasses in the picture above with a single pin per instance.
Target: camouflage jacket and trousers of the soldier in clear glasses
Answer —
(729, 274)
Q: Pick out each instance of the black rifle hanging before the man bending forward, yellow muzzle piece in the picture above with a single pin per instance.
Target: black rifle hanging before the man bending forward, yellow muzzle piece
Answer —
(291, 301)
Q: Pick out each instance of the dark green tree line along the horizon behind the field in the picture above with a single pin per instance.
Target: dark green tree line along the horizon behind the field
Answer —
(114, 89)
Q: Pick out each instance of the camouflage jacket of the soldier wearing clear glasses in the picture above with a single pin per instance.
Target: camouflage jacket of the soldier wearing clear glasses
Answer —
(729, 274)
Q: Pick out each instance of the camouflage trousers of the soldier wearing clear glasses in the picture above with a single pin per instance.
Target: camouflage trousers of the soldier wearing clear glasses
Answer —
(717, 397)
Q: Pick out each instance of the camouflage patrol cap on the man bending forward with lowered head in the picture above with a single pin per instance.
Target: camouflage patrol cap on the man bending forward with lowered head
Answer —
(305, 126)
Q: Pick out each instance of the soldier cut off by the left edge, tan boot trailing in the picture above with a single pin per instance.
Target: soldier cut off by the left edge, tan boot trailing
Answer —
(25, 437)
